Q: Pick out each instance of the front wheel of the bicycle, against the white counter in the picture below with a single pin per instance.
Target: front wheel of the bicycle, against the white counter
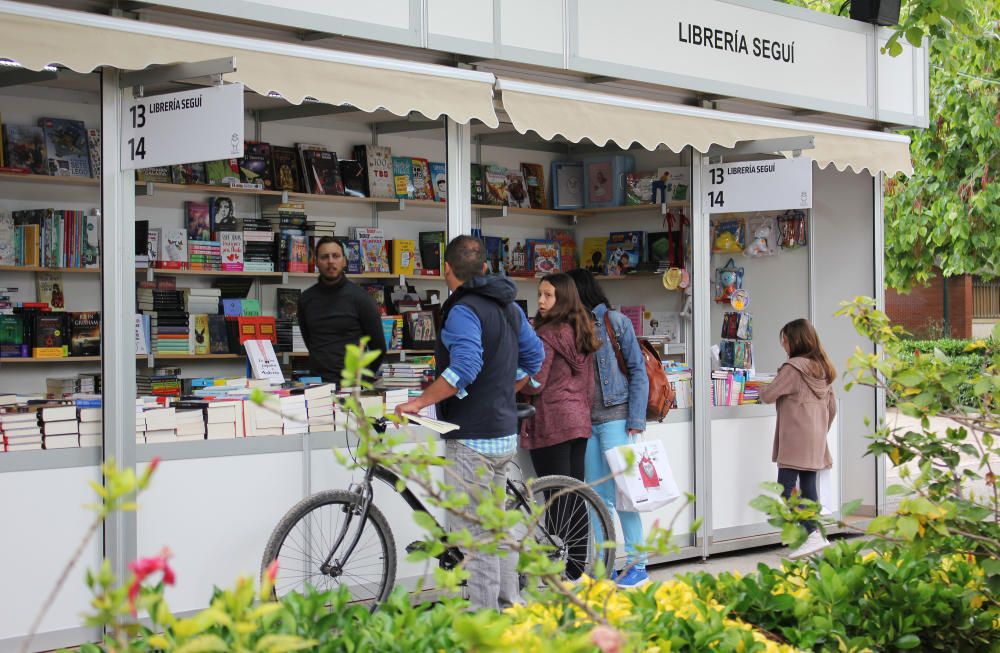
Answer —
(306, 534)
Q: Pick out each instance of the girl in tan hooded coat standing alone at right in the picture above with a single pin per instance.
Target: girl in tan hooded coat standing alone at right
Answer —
(806, 407)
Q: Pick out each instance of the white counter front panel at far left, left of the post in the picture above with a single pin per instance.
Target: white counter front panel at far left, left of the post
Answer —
(44, 521)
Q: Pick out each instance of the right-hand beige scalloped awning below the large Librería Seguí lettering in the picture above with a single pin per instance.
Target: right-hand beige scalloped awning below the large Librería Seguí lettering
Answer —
(602, 118)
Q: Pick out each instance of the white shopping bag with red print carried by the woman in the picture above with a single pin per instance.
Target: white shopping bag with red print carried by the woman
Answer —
(649, 484)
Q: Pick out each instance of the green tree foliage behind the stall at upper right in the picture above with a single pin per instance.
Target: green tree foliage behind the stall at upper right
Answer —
(947, 215)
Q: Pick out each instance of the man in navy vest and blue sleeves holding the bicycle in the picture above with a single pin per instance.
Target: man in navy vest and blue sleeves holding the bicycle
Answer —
(486, 350)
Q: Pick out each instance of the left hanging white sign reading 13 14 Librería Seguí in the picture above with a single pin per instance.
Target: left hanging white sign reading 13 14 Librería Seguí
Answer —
(201, 125)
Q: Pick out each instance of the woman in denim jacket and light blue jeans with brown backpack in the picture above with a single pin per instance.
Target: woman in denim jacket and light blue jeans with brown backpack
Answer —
(618, 411)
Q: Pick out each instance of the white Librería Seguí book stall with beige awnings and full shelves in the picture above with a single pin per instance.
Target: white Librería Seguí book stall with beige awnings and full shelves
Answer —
(162, 188)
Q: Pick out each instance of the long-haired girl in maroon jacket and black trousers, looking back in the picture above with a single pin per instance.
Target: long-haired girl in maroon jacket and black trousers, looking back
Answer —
(556, 437)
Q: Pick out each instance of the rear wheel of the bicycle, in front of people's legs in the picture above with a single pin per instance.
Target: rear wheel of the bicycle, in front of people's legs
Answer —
(575, 523)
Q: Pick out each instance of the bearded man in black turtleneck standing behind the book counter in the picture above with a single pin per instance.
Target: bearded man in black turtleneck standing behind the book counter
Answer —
(335, 313)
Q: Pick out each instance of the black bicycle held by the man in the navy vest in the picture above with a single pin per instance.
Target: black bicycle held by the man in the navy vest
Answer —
(318, 541)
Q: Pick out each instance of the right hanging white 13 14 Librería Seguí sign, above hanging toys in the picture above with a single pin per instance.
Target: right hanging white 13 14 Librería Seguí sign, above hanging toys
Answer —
(769, 185)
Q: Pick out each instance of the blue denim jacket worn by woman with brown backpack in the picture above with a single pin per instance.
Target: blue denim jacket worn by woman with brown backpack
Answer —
(616, 388)
